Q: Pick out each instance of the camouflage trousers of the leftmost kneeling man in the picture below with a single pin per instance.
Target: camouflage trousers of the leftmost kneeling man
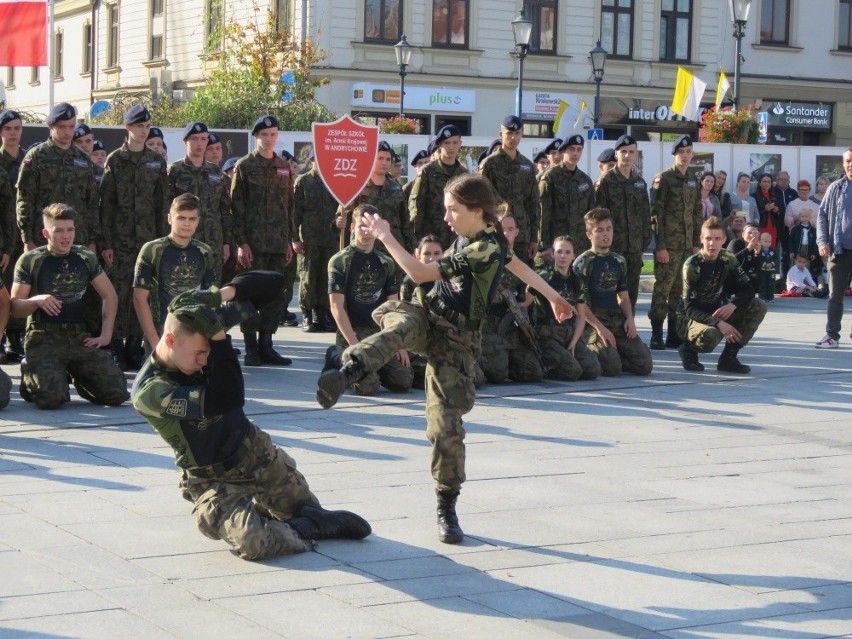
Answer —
(55, 351)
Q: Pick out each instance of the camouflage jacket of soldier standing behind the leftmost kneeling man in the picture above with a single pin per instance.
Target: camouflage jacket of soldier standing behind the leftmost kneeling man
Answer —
(48, 175)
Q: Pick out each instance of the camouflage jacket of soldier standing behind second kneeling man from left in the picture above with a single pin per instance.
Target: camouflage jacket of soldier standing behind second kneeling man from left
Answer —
(210, 185)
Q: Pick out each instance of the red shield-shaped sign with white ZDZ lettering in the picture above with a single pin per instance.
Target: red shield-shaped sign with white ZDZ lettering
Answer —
(345, 152)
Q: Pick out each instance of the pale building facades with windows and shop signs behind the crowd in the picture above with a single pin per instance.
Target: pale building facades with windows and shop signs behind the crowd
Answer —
(462, 70)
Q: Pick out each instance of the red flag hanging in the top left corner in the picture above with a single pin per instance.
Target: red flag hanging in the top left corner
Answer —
(24, 41)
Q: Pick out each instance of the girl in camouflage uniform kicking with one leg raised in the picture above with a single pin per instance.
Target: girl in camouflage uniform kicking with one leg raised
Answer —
(444, 326)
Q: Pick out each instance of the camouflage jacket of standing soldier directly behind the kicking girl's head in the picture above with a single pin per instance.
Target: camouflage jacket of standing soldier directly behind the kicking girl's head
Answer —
(426, 202)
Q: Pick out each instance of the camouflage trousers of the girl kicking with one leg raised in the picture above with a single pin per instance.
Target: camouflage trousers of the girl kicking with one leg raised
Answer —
(451, 355)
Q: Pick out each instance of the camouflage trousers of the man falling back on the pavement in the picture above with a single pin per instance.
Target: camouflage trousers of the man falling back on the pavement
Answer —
(248, 505)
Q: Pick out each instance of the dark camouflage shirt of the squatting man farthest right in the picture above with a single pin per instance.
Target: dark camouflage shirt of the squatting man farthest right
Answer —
(707, 285)
